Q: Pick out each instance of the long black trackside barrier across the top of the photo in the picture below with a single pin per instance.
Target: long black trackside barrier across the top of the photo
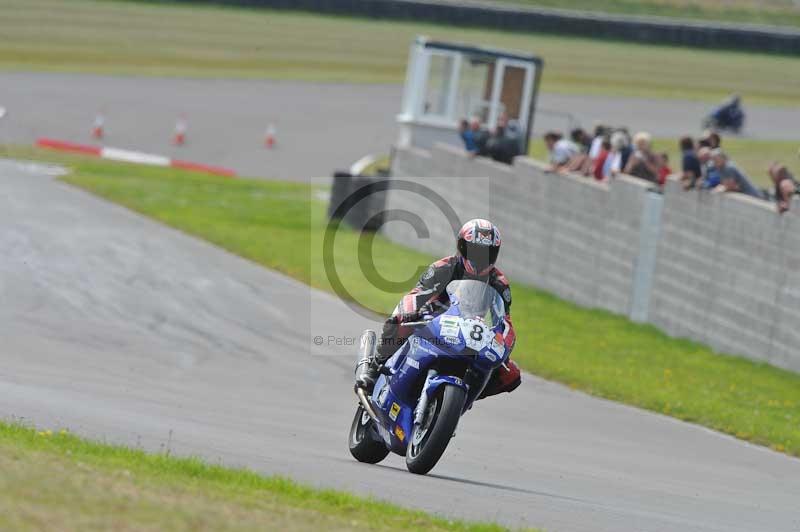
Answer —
(658, 30)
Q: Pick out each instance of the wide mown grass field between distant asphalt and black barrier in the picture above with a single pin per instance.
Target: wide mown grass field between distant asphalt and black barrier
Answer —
(206, 41)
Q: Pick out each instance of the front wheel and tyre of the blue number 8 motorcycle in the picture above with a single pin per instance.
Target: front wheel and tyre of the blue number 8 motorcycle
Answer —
(429, 440)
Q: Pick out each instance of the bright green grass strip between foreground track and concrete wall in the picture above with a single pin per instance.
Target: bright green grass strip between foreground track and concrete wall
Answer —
(591, 350)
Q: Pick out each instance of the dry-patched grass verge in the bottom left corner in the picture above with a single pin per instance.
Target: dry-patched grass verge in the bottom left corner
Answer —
(53, 480)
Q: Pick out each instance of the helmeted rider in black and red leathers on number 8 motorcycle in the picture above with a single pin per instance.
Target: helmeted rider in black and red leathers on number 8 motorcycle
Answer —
(477, 245)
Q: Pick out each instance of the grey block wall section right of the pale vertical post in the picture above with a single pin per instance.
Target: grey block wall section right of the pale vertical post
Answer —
(727, 274)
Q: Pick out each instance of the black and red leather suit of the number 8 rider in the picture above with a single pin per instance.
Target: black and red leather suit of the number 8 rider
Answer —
(430, 296)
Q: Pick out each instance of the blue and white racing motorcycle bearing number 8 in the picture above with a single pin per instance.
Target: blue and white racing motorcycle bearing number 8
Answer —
(431, 381)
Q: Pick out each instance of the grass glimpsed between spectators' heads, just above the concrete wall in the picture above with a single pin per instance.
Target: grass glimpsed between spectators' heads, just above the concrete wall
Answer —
(752, 156)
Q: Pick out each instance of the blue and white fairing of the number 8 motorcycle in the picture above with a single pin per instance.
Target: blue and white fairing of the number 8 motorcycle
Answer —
(460, 347)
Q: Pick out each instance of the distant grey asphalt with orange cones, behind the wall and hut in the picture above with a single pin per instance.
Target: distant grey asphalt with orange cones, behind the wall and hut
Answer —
(320, 127)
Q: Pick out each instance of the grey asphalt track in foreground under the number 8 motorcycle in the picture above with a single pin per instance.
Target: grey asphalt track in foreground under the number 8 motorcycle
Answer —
(124, 330)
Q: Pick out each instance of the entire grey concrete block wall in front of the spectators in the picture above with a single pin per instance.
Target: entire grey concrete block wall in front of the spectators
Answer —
(714, 268)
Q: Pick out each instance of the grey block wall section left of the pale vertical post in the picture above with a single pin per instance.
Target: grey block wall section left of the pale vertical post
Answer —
(569, 235)
